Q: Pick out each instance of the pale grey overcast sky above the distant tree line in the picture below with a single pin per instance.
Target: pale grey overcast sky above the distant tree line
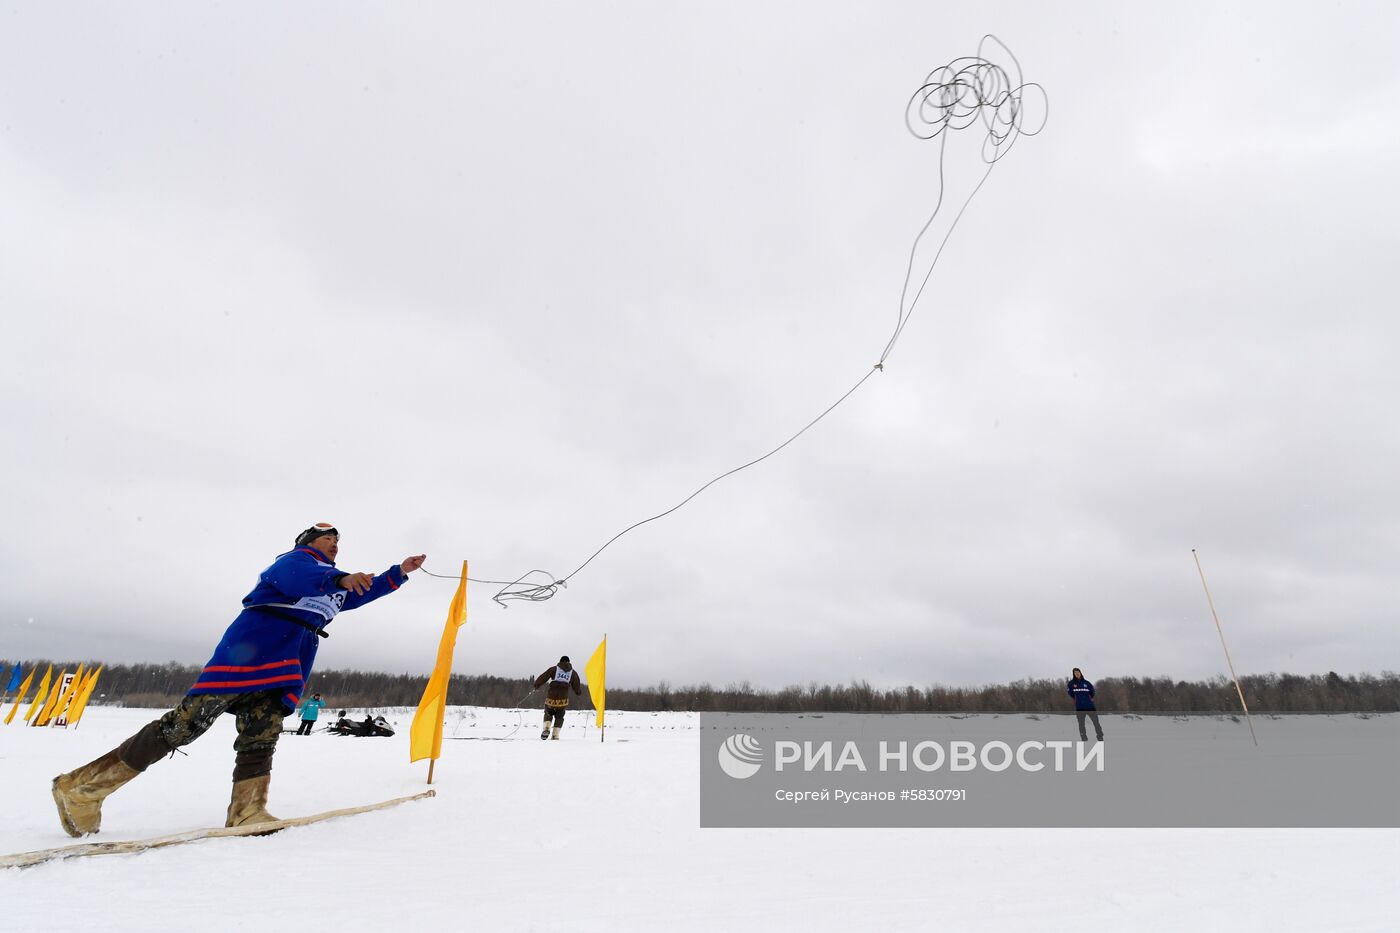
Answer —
(493, 282)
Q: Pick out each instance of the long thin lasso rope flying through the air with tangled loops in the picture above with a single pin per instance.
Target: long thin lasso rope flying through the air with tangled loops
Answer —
(954, 97)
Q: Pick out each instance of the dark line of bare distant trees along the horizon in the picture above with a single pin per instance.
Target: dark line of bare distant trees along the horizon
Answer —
(156, 686)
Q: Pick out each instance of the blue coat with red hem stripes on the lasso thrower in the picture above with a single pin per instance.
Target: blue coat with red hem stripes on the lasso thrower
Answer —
(261, 651)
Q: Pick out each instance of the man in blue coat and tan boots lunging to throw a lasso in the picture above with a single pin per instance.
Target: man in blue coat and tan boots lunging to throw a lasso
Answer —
(257, 675)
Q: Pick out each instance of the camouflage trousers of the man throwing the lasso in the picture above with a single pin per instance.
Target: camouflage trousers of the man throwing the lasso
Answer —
(258, 719)
